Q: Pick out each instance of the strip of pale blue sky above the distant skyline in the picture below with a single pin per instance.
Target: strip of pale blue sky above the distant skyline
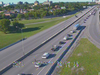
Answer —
(41, 1)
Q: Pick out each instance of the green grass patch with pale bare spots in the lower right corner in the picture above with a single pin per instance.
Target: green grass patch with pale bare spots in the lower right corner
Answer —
(85, 60)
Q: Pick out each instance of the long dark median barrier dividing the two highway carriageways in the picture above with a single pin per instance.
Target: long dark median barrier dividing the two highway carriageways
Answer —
(2, 71)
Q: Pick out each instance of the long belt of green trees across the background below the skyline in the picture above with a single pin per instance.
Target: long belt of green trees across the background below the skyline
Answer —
(41, 11)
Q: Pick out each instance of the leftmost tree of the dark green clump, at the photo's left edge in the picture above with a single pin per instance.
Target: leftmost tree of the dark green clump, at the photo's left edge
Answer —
(4, 25)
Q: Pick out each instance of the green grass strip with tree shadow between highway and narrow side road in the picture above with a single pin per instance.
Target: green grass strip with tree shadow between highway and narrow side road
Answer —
(7, 39)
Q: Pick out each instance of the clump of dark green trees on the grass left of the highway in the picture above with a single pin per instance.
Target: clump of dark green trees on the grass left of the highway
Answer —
(7, 28)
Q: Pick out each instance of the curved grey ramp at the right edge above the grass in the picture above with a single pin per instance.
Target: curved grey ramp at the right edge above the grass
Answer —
(93, 30)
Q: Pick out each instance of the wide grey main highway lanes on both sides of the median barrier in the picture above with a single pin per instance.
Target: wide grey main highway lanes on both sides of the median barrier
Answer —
(14, 52)
